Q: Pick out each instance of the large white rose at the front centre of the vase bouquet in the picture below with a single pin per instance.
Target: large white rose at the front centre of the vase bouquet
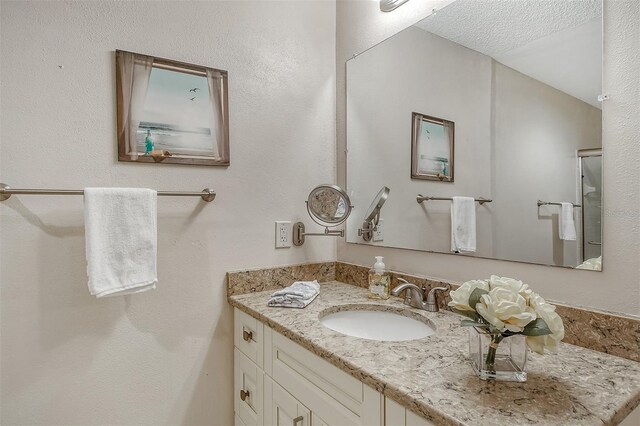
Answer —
(505, 308)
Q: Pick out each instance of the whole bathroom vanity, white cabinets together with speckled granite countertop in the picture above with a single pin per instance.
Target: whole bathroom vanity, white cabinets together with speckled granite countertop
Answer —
(292, 370)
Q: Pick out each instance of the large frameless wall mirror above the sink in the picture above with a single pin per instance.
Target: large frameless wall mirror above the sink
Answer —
(521, 82)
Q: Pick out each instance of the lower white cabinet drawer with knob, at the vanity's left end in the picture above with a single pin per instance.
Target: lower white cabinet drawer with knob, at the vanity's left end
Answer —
(248, 390)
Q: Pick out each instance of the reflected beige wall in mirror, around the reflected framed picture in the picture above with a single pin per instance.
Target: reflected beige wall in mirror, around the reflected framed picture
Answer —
(379, 127)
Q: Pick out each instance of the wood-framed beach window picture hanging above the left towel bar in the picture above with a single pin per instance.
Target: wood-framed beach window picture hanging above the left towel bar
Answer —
(171, 112)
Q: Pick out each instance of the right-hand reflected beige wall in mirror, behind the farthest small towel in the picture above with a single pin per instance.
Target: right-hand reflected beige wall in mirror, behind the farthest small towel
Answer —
(536, 133)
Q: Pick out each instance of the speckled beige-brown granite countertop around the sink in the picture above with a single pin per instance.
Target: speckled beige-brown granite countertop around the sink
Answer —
(433, 377)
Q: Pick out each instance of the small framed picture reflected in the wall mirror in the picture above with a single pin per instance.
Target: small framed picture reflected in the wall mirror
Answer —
(432, 148)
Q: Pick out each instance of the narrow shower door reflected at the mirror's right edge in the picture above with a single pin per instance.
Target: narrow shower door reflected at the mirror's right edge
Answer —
(591, 176)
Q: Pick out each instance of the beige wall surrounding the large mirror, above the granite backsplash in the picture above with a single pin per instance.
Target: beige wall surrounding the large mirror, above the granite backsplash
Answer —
(360, 25)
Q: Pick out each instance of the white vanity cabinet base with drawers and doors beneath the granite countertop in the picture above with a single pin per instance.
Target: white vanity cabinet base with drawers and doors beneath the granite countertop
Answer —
(278, 382)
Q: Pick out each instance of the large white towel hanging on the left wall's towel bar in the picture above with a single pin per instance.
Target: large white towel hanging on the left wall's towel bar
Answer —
(121, 240)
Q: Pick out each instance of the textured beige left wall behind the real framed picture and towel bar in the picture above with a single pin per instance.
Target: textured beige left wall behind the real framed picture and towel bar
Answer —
(165, 356)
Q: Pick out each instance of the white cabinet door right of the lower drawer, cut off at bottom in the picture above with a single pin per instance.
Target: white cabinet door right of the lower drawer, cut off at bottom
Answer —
(281, 408)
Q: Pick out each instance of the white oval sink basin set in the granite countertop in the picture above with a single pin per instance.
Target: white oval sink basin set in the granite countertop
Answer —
(377, 325)
